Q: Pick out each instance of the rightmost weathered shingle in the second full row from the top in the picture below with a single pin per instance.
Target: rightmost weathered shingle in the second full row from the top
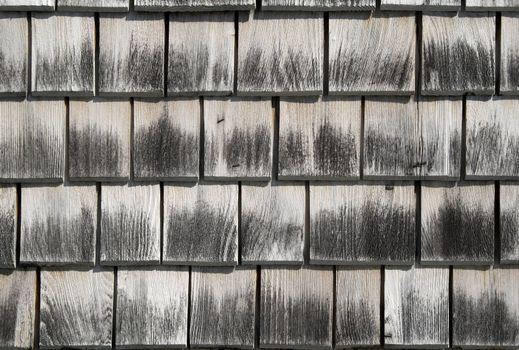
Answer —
(492, 139)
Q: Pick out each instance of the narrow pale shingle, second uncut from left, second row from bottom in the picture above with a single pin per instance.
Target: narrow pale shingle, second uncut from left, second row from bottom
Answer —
(130, 224)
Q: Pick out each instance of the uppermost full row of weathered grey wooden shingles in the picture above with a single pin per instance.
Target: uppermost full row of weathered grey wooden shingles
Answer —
(457, 54)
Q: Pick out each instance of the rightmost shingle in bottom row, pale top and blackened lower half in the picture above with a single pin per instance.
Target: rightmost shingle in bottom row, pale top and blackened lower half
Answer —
(485, 307)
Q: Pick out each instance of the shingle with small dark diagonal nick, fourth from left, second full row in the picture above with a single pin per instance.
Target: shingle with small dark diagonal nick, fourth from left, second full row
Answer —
(238, 138)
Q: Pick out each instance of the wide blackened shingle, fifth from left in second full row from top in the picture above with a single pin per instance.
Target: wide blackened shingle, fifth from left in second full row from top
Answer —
(319, 138)
